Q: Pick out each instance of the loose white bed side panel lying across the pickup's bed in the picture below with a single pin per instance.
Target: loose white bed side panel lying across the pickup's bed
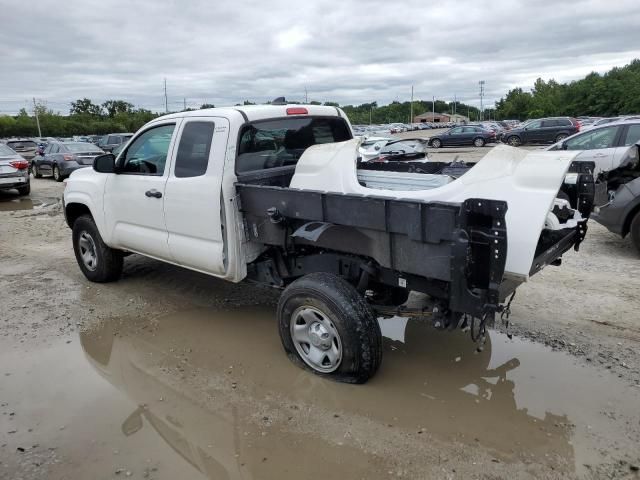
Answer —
(527, 180)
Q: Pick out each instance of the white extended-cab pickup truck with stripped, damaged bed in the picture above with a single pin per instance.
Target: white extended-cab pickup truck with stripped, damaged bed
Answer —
(278, 194)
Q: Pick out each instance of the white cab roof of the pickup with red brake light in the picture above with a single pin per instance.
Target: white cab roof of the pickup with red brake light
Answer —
(259, 112)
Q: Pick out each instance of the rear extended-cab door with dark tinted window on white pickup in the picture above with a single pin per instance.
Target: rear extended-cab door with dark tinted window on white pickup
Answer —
(193, 195)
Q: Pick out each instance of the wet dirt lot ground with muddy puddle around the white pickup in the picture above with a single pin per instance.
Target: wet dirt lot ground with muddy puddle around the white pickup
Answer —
(170, 374)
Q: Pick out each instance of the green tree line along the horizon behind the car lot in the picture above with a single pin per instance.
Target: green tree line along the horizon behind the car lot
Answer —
(616, 92)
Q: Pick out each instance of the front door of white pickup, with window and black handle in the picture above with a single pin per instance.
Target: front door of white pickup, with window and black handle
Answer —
(134, 197)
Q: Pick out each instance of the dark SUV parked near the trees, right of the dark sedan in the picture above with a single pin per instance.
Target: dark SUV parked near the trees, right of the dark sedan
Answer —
(543, 130)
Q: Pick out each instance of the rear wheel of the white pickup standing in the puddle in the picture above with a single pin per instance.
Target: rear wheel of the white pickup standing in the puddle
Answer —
(327, 327)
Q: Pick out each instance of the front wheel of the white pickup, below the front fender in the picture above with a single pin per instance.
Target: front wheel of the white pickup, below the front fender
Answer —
(98, 262)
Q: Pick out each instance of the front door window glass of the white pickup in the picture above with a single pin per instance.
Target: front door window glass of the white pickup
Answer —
(147, 154)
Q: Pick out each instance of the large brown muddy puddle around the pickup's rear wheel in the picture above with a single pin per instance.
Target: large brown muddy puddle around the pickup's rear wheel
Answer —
(211, 394)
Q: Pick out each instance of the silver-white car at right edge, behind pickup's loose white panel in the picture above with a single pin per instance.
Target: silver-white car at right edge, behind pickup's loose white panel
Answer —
(606, 145)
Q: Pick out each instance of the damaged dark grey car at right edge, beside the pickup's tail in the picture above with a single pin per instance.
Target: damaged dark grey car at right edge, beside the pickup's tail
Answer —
(618, 197)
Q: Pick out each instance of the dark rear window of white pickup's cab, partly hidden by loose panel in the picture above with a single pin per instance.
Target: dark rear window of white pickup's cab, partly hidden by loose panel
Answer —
(281, 142)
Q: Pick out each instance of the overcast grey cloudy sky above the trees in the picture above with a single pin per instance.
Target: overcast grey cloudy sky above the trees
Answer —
(339, 50)
